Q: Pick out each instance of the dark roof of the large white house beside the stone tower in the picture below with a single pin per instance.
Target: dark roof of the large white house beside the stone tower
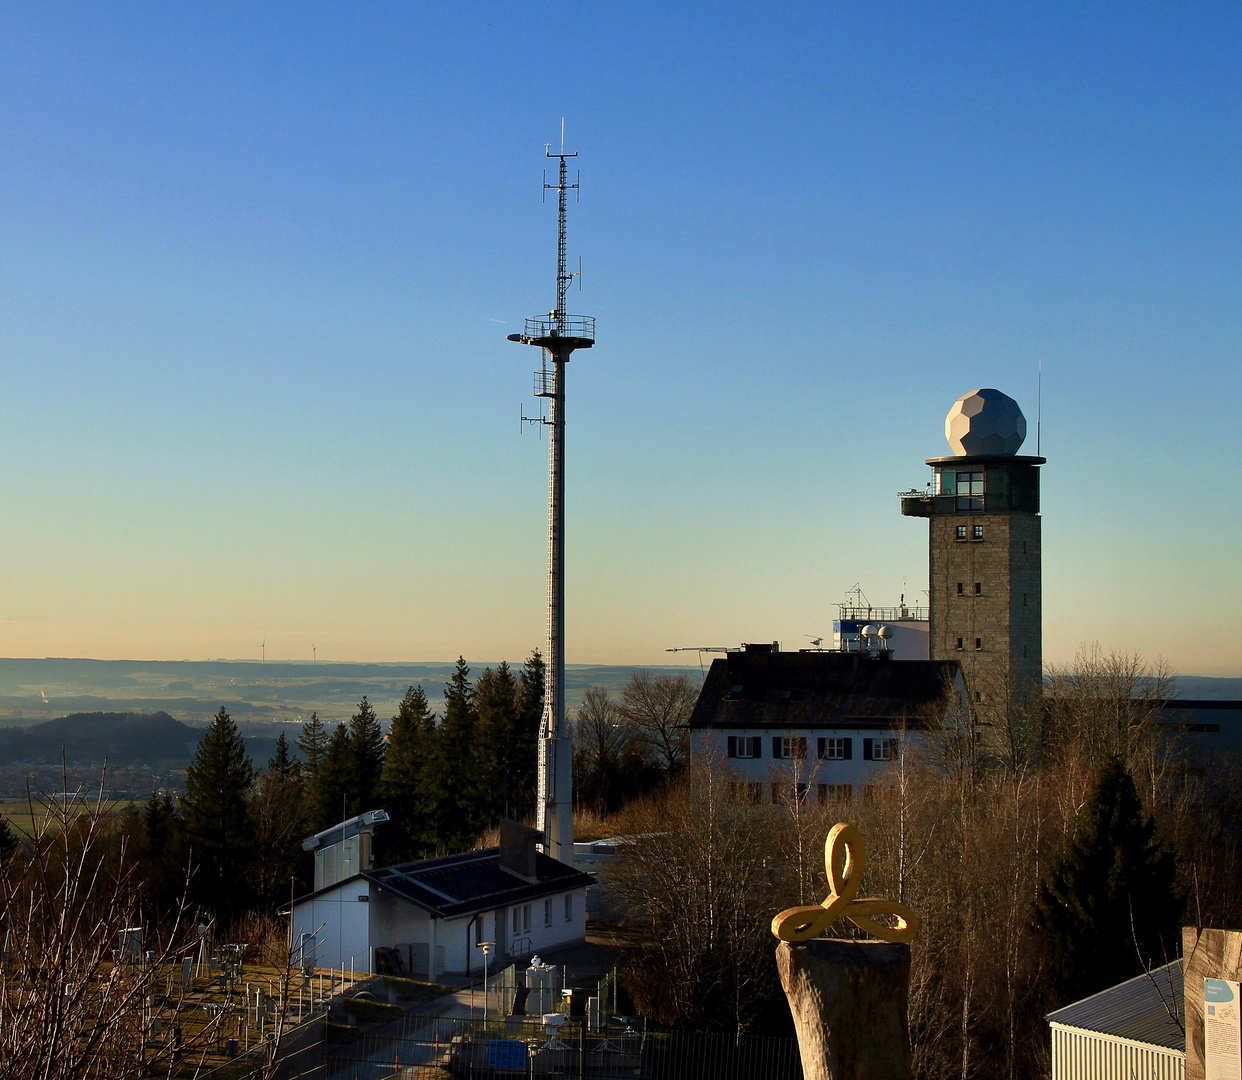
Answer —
(766, 690)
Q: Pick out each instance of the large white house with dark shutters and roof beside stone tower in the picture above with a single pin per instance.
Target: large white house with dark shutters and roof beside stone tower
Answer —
(824, 724)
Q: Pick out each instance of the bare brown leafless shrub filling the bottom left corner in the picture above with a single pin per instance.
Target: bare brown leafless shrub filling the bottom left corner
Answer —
(79, 976)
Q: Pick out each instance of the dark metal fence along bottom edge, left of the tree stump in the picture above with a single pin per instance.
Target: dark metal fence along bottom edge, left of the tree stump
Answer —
(435, 1048)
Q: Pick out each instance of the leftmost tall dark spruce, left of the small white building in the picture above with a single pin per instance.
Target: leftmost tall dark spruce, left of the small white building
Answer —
(217, 820)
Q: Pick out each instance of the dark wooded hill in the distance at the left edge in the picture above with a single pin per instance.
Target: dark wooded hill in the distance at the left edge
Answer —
(125, 739)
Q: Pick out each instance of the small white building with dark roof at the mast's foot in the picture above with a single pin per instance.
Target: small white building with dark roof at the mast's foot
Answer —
(434, 914)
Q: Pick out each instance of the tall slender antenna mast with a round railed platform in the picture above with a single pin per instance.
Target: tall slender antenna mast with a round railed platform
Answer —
(558, 335)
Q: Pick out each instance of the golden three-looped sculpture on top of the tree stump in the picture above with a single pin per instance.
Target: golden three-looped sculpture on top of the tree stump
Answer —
(845, 857)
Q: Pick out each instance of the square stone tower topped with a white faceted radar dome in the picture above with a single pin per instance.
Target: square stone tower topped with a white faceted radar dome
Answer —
(983, 506)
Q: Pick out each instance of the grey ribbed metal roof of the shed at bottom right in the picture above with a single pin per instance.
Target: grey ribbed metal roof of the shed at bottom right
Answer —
(1137, 1010)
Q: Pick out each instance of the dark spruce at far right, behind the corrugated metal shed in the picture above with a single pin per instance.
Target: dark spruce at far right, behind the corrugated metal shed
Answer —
(1108, 908)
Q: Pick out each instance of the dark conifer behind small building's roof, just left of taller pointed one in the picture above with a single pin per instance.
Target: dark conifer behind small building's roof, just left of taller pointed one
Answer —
(401, 789)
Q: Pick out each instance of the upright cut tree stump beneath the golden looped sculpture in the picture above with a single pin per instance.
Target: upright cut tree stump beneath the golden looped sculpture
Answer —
(850, 1002)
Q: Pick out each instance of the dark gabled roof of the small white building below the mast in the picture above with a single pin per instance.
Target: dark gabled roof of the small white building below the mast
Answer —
(475, 882)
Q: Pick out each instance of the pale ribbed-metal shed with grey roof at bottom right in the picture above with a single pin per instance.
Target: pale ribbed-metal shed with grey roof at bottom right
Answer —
(1131, 1030)
